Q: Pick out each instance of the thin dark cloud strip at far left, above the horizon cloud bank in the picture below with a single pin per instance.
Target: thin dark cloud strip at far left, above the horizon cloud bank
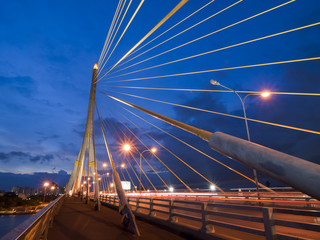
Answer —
(14, 155)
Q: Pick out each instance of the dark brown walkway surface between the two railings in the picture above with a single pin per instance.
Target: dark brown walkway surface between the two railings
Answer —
(77, 220)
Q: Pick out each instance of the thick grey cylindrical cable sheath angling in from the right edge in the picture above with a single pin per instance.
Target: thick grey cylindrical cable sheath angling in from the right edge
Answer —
(295, 172)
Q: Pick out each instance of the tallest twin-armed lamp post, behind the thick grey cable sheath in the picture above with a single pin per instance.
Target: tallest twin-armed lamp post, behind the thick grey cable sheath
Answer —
(264, 94)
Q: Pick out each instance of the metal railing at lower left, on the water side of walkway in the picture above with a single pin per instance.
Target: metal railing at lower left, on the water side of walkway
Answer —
(36, 227)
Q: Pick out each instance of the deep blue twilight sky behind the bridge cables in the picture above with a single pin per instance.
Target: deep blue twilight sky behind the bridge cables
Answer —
(48, 49)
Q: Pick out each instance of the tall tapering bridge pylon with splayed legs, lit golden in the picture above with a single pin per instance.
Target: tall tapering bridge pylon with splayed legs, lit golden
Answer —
(74, 184)
